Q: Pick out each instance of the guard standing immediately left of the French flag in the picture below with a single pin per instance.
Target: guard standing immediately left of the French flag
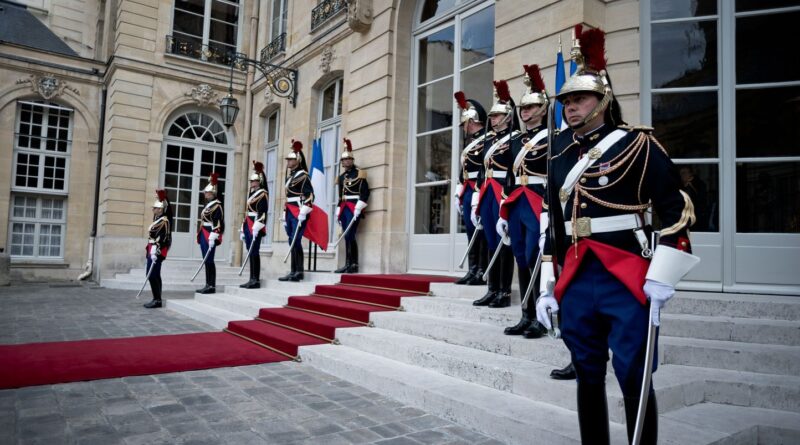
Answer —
(299, 203)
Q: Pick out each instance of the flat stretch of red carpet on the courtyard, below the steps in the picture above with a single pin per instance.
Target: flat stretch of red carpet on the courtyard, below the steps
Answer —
(73, 361)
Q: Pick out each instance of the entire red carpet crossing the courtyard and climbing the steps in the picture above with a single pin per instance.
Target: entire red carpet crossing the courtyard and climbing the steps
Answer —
(274, 336)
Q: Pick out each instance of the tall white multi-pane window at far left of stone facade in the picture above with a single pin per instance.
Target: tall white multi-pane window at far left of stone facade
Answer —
(43, 143)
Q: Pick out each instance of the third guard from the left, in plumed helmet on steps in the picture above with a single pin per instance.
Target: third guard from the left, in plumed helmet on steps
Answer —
(254, 224)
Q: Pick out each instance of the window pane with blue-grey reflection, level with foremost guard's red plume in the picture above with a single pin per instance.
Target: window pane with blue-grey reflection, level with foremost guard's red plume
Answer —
(684, 54)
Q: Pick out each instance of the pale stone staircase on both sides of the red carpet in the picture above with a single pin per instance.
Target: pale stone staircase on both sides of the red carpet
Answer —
(729, 364)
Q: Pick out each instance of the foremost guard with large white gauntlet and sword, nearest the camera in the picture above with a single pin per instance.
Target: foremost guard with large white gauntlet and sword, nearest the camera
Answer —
(605, 179)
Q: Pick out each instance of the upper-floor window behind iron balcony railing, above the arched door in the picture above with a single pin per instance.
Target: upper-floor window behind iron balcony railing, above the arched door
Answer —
(205, 29)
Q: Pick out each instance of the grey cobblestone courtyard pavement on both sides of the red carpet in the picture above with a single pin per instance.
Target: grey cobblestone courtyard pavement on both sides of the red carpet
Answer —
(276, 403)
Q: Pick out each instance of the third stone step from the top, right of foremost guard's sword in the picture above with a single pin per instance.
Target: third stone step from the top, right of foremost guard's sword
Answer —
(749, 357)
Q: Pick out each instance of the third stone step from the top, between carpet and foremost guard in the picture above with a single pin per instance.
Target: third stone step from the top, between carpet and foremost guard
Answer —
(478, 336)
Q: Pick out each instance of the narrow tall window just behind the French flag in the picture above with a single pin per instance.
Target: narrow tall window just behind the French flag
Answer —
(329, 130)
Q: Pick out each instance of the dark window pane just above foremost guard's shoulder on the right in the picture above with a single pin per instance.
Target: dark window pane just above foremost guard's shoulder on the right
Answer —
(686, 124)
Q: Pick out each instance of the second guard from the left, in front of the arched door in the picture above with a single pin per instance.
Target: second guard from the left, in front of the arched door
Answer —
(209, 235)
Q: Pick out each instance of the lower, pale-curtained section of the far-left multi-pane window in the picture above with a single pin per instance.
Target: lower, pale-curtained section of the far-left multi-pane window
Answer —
(37, 226)
